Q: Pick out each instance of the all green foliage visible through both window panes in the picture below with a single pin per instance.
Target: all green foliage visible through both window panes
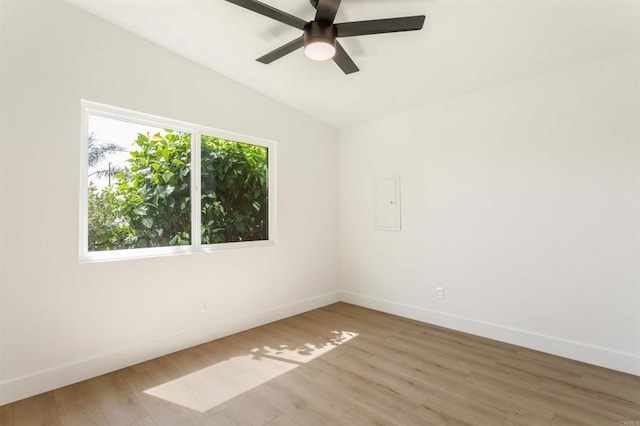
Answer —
(149, 204)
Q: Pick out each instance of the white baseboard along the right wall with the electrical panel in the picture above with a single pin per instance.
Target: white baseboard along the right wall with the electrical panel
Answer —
(620, 361)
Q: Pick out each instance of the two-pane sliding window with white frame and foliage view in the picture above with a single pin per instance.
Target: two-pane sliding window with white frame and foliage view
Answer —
(154, 186)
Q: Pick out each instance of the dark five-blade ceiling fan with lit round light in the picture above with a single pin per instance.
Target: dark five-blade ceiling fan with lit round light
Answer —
(319, 37)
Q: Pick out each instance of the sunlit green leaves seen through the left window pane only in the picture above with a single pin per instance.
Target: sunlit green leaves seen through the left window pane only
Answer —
(147, 192)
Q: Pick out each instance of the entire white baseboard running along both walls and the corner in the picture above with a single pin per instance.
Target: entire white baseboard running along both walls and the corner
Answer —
(63, 375)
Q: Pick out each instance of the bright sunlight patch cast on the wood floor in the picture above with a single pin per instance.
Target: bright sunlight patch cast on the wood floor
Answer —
(205, 389)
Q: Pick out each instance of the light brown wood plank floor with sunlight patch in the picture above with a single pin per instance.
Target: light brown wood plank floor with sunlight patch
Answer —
(343, 365)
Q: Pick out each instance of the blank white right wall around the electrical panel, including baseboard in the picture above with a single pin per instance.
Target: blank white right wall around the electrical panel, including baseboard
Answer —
(522, 201)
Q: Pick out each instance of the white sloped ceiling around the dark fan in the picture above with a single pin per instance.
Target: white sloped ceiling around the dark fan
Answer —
(464, 46)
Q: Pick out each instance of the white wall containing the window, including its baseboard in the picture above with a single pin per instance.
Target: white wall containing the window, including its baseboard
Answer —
(62, 321)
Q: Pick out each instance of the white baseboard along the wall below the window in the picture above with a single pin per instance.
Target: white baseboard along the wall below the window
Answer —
(63, 375)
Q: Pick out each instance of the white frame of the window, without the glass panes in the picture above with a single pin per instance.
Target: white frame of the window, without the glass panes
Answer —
(89, 108)
